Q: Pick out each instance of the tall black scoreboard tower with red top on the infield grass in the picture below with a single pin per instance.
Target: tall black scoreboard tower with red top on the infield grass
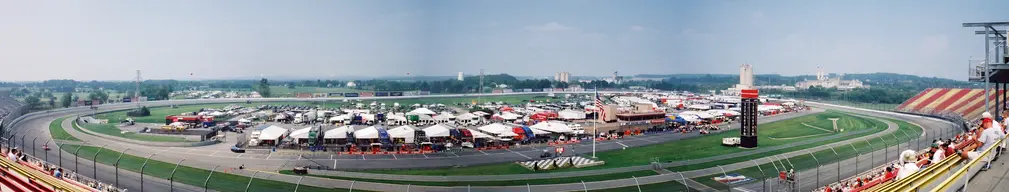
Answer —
(748, 121)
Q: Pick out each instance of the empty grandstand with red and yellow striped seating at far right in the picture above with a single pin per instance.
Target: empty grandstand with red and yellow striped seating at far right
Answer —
(969, 104)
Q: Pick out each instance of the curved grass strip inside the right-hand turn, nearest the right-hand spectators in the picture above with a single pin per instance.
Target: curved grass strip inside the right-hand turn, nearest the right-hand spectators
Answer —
(825, 157)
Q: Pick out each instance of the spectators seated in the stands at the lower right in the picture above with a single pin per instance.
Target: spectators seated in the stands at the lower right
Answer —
(984, 134)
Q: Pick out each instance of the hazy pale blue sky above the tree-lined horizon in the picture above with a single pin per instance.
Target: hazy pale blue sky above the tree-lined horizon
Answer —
(233, 39)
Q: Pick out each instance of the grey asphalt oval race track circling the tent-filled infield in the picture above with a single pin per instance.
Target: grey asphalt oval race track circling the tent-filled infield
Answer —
(209, 157)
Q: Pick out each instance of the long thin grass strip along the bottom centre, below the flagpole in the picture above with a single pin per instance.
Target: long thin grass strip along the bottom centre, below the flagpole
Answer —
(499, 183)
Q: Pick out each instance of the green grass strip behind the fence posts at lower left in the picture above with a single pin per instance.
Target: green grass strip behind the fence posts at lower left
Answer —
(188, 175)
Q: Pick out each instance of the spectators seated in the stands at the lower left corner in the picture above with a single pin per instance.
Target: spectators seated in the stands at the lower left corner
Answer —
(19, 157)
